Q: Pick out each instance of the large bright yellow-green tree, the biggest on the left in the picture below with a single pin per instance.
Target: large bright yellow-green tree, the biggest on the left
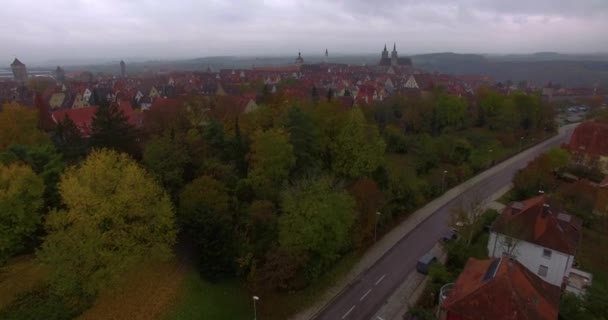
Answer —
(116, 217)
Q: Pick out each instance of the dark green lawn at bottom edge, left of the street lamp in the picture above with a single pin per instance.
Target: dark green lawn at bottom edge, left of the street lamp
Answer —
(200, 299)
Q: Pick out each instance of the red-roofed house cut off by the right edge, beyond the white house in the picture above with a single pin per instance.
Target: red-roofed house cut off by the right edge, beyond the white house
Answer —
(589, 145)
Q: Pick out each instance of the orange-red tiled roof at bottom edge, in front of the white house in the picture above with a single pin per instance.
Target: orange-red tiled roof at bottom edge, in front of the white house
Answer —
(501, 289)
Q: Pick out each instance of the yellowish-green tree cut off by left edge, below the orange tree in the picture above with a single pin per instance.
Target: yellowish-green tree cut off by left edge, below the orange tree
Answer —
(20, 203)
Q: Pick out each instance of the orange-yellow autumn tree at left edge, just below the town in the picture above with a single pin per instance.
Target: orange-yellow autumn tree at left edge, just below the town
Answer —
(19, 125)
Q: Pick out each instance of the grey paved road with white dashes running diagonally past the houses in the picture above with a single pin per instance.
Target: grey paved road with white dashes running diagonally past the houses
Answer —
(363, 297)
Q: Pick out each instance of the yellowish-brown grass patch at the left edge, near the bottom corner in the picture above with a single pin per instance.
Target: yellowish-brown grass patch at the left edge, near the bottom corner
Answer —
(17, 276)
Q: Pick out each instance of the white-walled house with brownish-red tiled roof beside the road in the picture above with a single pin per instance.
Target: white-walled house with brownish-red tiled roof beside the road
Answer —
(540, 236)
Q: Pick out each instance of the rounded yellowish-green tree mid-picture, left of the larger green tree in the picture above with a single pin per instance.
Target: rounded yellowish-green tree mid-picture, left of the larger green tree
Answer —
(271, 159)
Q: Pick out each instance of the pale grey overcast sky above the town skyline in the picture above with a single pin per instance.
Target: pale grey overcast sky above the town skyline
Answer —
(42, 30)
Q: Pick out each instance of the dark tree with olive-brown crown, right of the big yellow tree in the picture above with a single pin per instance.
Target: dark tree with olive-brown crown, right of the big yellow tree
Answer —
(204, 216)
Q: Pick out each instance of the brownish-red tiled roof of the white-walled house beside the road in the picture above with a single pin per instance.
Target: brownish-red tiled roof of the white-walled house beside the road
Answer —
(536, 221)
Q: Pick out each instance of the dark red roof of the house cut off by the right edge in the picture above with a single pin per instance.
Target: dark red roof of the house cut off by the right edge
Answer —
(590, 137)
